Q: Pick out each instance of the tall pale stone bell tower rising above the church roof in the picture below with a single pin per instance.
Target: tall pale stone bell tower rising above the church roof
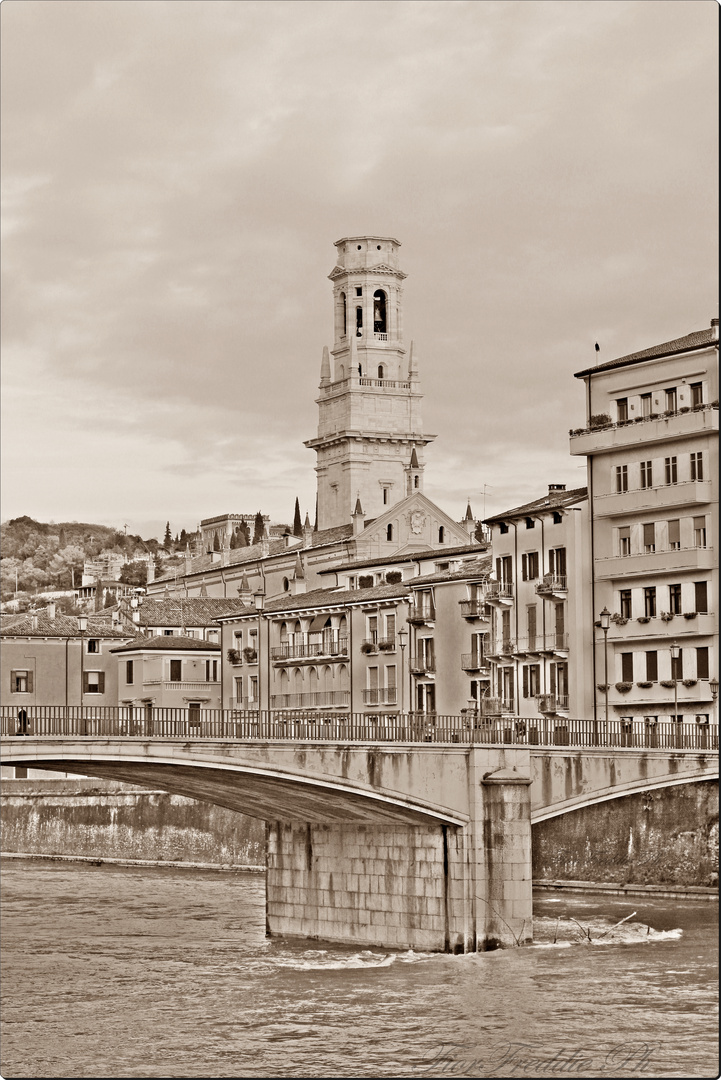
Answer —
(370, 403)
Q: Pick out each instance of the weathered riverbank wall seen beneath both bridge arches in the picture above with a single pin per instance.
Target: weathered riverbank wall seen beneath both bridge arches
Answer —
(666, 838)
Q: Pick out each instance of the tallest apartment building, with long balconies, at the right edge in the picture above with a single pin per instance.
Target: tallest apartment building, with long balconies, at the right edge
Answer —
(651, 444)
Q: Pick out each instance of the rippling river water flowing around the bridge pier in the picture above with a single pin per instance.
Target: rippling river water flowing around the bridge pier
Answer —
(155, 973)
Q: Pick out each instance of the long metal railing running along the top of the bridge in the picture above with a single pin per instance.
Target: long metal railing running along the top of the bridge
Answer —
(151, 723)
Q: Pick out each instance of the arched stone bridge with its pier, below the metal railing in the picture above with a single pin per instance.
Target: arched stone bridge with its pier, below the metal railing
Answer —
(420, 845)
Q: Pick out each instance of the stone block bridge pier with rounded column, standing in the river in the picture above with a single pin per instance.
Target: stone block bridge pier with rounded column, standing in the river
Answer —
(434, 887)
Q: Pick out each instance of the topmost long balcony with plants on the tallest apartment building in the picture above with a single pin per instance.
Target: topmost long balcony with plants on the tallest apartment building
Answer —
(611, 437)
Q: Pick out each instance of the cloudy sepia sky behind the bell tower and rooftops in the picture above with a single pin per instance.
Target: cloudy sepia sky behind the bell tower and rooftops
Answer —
(175, 175)
